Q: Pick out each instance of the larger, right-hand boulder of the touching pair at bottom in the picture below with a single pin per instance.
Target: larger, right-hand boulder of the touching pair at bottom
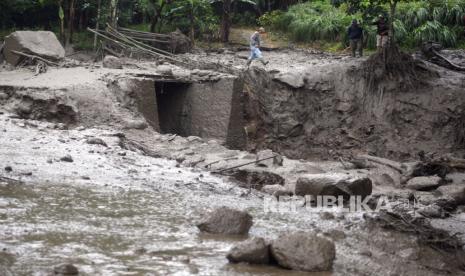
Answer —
(304, 251)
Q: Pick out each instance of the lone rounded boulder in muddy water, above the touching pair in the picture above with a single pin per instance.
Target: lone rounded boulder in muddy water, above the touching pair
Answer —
(227, 221)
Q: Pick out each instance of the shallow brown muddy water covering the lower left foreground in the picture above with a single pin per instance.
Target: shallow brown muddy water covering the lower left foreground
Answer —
(111, 231)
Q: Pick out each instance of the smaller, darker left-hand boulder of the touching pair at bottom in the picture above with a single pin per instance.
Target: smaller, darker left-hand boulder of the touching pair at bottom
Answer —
(253, 251)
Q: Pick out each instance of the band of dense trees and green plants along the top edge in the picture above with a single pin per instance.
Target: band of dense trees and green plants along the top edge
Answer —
(301, 21)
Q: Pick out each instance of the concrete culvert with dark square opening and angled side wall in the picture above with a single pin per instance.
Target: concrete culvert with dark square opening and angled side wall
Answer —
(211, 110)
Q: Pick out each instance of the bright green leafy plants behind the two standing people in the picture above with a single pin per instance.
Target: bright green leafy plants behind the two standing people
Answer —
(415, 22)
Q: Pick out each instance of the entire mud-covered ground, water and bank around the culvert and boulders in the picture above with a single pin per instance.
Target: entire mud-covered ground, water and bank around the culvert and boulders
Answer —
(86, 179)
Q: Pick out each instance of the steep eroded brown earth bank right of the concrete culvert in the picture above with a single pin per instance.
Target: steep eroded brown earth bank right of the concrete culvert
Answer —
(315, 105)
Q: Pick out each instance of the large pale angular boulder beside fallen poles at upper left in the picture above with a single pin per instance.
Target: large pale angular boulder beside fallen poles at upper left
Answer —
(40, 43)
